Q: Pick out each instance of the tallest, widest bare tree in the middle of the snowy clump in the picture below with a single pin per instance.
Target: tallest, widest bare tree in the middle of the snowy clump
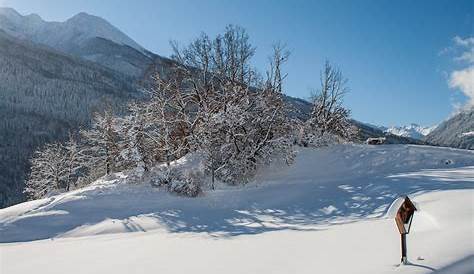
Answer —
(239, 122)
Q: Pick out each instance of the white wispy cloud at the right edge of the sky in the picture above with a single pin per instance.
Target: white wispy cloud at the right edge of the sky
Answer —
(463, 79)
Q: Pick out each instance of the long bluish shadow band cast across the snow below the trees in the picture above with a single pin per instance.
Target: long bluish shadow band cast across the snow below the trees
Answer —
(303, 206)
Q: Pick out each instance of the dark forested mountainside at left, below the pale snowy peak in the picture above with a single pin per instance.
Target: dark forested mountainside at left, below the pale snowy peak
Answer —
(44, 94)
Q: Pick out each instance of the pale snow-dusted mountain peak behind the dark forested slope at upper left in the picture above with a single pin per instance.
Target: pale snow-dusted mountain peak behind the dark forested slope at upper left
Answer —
(84, 35)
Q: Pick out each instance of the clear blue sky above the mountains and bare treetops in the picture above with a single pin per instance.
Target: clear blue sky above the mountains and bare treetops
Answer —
(399, 56)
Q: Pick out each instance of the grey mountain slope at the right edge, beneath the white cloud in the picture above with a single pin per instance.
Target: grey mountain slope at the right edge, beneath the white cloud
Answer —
(458, 131)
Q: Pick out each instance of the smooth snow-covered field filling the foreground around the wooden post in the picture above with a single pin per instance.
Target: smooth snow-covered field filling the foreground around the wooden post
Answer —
(330, 212)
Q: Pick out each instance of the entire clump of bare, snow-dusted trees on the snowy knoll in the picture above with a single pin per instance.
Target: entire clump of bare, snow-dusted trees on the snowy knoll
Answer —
(212, 102)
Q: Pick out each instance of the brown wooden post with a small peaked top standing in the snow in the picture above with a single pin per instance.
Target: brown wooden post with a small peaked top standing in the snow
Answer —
(403, 220)
